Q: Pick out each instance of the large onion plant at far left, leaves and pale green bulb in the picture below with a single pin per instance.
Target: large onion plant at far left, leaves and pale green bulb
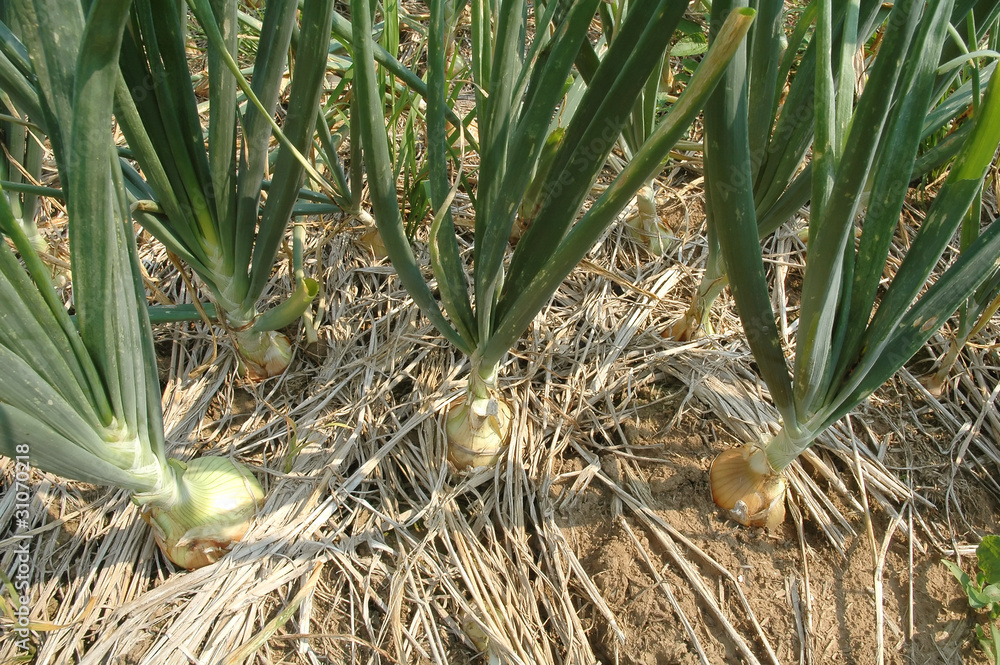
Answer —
(80, 397)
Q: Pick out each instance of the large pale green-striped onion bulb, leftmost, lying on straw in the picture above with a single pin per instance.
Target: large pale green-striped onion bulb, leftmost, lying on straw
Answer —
(208, 509)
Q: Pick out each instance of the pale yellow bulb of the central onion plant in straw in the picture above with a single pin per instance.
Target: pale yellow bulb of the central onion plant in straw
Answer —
(478, 432)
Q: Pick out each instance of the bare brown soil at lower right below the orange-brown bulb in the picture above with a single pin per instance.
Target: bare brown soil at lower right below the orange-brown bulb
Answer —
(812, 604)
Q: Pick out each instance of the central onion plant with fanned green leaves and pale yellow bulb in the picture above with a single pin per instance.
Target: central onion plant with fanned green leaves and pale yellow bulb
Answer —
(518, 88)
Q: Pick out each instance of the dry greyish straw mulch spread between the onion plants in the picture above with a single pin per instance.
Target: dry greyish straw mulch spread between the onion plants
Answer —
(370, 550)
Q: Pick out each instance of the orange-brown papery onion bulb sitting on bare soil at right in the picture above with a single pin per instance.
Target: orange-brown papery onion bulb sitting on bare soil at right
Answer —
(744, 485)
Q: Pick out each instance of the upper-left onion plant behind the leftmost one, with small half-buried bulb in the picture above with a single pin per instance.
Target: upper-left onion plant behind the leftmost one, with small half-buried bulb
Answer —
(201, 195)
